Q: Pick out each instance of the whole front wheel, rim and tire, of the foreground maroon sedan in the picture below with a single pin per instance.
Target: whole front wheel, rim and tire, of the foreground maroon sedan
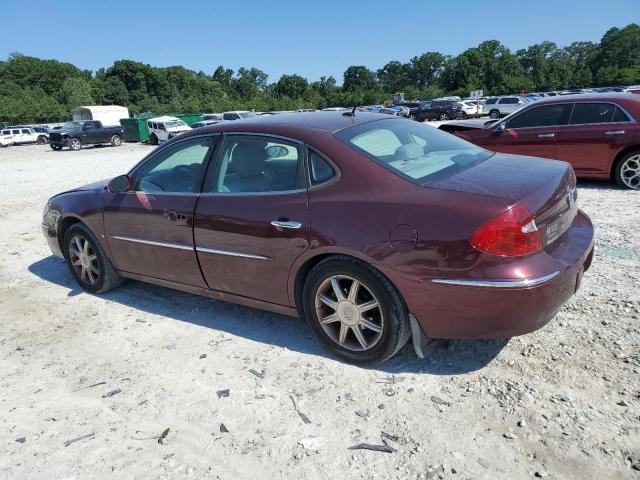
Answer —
(87, 261)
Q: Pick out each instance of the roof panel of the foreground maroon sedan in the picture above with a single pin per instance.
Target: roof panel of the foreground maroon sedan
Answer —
(326, 121)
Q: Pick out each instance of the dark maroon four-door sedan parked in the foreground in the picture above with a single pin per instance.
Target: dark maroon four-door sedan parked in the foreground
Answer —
(372, 228)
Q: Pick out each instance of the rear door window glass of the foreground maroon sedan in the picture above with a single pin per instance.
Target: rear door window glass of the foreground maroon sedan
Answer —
(258, 164)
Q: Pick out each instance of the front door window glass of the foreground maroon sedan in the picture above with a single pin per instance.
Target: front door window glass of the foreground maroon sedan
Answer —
(178, 168)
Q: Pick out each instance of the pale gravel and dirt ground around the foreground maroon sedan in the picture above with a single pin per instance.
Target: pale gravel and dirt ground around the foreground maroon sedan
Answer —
(113, 372)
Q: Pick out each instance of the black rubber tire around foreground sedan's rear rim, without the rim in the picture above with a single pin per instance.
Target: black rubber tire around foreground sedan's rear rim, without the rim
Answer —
(395, 327)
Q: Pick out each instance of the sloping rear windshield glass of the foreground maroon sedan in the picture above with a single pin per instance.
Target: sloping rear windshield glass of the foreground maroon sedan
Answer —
(417, 152)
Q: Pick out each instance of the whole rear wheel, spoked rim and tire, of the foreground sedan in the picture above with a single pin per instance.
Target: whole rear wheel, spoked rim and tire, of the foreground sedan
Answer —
(355, 311)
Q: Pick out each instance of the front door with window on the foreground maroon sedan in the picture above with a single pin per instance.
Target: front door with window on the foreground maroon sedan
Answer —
(150, 227)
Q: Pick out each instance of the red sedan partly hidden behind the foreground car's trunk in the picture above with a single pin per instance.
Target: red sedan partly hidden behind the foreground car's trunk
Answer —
(598, 135)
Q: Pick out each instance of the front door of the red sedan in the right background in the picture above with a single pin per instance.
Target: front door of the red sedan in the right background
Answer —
(532, 132)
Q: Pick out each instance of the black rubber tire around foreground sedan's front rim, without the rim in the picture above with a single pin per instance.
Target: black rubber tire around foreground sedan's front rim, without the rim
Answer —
(107, 277)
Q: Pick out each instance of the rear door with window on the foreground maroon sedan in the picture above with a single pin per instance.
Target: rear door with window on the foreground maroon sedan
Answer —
(252, 219)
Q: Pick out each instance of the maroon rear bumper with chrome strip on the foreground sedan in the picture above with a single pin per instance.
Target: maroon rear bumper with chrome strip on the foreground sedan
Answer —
(493, 301)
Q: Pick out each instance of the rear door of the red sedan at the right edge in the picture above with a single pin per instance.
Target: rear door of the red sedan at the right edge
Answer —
(596, 132)
